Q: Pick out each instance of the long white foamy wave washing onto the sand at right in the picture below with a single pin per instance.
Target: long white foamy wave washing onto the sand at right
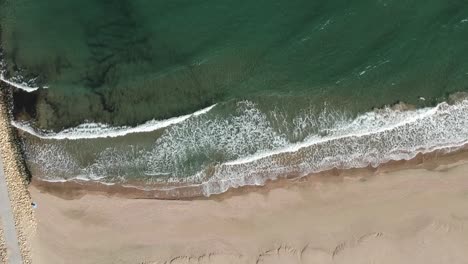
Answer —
(371, 139)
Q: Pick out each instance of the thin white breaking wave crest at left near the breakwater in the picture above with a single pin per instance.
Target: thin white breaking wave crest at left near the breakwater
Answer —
(99, 130)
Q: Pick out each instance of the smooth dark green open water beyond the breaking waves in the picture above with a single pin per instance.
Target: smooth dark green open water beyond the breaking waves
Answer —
(125, 62)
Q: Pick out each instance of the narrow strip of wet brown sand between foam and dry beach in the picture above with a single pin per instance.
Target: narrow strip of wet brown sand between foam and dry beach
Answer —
(76, 189)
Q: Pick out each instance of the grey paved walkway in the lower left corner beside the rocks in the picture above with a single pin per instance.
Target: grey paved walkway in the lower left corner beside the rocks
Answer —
(8, 223)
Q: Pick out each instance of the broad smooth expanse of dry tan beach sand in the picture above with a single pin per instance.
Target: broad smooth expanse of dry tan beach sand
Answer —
(408, 216)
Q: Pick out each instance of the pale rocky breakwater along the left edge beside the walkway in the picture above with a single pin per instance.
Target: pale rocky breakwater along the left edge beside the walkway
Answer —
(16, 176)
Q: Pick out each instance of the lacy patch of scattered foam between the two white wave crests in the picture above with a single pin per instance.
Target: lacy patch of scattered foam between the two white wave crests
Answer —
(247, 131)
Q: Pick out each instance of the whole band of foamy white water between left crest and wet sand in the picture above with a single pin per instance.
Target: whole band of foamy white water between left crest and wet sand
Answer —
(253, 152)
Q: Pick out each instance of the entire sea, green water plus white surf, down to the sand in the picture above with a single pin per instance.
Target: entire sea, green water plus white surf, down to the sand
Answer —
(225, 93)
